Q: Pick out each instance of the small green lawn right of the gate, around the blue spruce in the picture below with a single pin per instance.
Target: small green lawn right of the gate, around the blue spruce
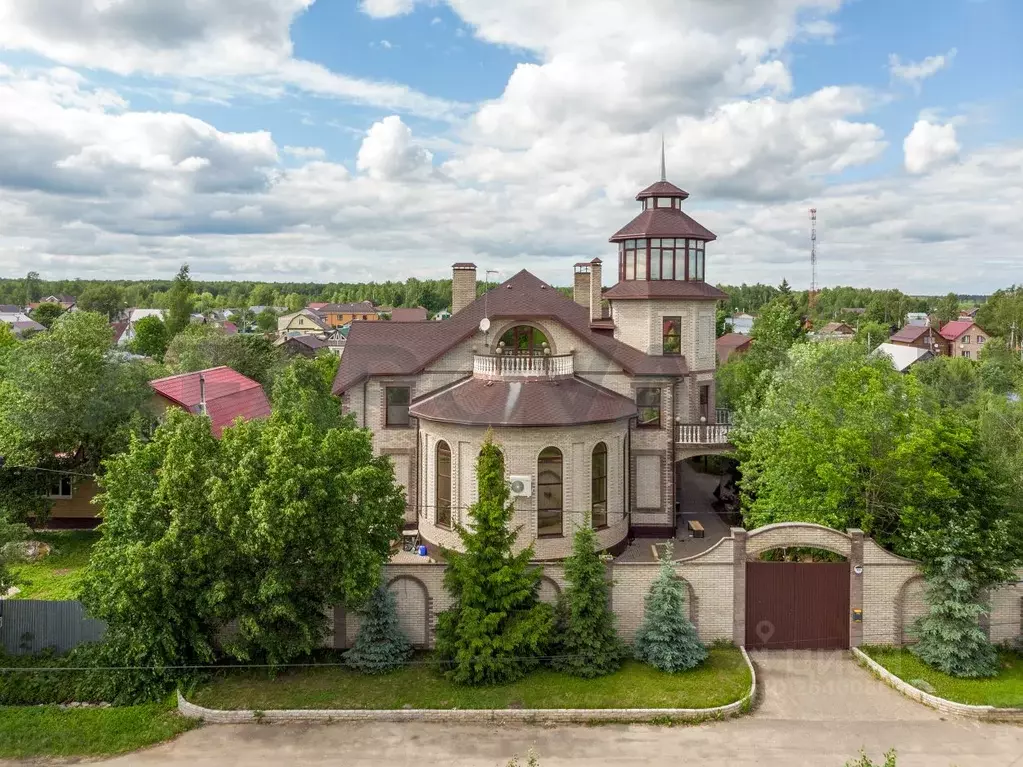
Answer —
(1004, 691)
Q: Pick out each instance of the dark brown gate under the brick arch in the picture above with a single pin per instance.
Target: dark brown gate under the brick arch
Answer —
(797, 606)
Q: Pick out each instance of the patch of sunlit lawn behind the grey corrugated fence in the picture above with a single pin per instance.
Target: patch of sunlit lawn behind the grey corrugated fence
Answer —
(57, 576)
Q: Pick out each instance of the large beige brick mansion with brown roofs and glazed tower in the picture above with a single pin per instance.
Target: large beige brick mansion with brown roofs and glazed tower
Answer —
(594, 410)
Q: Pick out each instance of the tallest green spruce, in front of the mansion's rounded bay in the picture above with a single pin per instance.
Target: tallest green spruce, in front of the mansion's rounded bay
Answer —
(498, 627)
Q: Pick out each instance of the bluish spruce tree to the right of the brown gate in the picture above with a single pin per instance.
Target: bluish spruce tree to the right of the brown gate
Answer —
(951, 638)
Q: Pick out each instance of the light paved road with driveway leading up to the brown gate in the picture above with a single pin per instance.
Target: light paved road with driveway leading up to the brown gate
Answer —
(818, 710)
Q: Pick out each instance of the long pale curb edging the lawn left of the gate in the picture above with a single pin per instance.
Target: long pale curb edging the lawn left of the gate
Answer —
(223, 716)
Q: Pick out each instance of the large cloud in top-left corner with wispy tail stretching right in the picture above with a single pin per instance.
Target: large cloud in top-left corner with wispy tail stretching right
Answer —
(245, 46)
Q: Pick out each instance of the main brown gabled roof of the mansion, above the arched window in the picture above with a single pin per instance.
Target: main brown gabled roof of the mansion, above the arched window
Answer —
(376, 349)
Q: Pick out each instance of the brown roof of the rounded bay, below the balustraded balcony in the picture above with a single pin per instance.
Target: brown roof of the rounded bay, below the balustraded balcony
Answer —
(537, 403)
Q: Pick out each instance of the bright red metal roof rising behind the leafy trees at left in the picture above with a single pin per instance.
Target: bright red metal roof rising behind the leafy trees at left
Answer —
(230, 395)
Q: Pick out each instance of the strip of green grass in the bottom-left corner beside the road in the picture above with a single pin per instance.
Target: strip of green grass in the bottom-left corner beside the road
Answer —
(51, 732)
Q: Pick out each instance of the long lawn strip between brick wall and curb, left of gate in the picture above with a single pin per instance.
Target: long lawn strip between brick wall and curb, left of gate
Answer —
(724, 680)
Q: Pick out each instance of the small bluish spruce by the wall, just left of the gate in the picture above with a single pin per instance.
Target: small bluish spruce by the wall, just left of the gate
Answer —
(668, 639)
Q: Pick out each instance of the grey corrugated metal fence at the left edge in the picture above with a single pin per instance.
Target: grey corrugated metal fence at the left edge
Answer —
(32, 625)
